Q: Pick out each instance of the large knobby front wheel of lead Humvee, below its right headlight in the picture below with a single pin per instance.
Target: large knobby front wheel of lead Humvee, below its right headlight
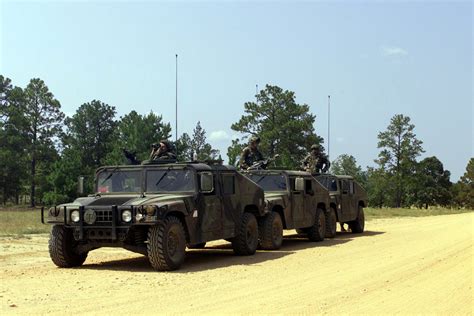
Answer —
(166, 244)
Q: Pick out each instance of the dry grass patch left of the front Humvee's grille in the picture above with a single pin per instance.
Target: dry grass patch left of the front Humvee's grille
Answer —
(21, 222)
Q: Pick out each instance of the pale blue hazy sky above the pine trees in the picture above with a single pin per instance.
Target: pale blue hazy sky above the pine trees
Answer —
(375, 59)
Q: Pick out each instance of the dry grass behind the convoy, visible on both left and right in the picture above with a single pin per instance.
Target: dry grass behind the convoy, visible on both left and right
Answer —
(21, 221)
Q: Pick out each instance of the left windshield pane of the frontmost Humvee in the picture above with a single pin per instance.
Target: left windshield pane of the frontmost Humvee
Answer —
(116, 180)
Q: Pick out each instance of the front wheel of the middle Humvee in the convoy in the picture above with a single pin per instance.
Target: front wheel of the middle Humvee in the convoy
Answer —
(270, 231)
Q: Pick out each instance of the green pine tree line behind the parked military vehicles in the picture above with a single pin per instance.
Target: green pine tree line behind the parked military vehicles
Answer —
(43, 151)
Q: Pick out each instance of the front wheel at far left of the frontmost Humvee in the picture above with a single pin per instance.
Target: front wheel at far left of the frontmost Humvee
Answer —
(62, 248)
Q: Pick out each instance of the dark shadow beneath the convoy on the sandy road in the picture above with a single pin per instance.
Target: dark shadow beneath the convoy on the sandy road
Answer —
(222, 255)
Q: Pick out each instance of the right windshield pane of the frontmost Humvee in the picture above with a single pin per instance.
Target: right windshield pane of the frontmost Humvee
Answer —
(169, 180)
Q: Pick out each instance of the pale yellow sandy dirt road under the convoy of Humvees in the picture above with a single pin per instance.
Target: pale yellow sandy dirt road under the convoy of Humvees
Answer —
(398, 266)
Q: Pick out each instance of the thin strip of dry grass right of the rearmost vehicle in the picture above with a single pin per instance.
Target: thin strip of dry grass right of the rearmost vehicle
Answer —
(372, 213)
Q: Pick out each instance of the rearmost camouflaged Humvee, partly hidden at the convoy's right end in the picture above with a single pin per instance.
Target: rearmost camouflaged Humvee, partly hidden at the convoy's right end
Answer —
(348, 199)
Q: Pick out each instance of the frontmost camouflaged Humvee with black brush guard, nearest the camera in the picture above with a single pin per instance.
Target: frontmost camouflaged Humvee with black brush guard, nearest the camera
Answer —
(156, 210)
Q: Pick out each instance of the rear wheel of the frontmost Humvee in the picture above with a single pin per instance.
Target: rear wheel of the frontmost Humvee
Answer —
(246, 241)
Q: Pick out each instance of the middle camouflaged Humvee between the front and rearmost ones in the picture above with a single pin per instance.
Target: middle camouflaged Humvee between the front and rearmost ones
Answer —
(295, 200)
